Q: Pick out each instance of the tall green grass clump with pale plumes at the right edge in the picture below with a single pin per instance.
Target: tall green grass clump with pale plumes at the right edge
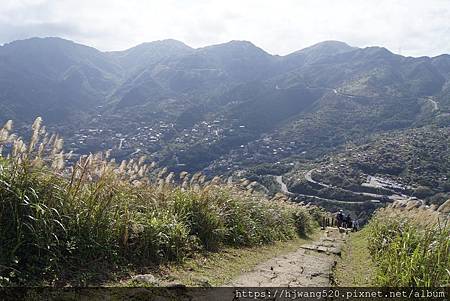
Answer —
(409, 253)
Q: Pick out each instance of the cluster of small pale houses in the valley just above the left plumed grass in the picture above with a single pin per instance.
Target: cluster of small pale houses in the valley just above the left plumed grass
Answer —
(147, 137)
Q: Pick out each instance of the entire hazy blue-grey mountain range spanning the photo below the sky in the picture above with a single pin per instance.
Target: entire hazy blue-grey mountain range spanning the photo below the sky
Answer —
(220, 108)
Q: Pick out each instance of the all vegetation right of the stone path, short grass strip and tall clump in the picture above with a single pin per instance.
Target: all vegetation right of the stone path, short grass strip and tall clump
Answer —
(398, 248)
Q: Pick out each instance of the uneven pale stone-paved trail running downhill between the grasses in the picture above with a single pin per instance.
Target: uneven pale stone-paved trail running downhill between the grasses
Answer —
(310, 265)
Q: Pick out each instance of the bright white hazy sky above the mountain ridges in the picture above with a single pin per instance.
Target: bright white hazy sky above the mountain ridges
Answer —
(411, 27)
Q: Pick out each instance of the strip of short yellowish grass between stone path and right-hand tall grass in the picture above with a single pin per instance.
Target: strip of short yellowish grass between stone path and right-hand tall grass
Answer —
(355, 267)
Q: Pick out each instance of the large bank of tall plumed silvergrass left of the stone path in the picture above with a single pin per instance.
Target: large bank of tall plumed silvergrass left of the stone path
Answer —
(58, 218)
